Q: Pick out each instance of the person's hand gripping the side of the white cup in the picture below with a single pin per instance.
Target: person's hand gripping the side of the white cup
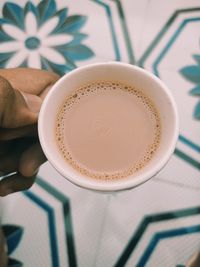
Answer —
(22, 91)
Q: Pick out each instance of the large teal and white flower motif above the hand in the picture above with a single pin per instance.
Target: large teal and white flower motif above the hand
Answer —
(40, 36)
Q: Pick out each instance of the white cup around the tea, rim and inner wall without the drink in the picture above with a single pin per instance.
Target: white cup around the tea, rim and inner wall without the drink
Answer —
(121, 72)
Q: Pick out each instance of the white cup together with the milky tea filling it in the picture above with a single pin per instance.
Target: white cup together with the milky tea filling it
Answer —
(108, 126)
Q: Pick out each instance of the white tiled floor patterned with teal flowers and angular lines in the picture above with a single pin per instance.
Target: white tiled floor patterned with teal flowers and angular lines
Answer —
(157, 224)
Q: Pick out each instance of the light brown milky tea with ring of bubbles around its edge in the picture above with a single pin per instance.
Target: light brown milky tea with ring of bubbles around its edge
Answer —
(108, 130)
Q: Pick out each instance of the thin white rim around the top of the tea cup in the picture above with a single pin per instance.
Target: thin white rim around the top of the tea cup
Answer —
(116, 185)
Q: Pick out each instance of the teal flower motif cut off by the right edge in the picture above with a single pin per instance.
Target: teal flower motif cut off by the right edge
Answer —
(192, 73)
